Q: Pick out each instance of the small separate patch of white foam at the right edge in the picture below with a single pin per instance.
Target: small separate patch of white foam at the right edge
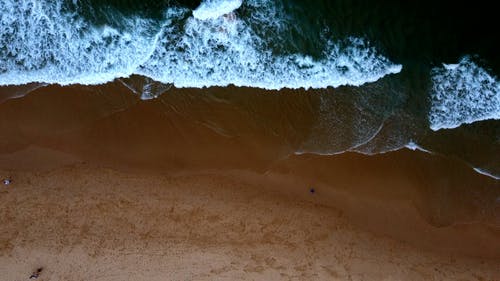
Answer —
(463, 93)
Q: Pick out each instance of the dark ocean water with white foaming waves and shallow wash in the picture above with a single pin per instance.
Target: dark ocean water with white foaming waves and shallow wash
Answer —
(384, 75)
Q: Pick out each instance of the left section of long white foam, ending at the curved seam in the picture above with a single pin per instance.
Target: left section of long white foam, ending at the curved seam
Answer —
(42, 41)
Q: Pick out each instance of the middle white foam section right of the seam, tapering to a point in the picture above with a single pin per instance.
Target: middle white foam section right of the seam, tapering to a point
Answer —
(223, 51)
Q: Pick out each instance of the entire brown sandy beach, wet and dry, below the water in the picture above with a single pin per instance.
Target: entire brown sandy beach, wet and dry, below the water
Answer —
(107, 187)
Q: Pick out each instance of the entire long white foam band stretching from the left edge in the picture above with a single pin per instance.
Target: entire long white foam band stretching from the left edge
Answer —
(45, 41)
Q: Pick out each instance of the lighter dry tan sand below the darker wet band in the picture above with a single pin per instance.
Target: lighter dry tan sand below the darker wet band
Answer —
(83, 223)
